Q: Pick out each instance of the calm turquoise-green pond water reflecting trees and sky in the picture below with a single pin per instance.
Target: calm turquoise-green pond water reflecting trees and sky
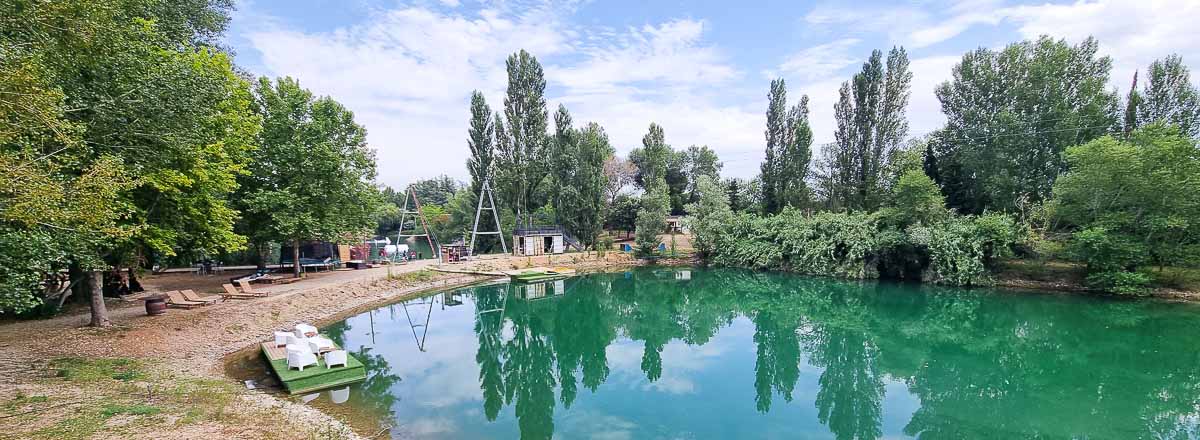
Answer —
(723, 354)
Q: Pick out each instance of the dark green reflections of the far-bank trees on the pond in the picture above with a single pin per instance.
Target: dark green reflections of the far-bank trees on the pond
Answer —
(981, 365)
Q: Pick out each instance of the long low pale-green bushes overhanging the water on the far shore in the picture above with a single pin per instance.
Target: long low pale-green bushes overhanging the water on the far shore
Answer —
(957, 251)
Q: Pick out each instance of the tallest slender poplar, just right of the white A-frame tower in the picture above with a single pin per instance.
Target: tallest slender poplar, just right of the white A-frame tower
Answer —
(521, 142)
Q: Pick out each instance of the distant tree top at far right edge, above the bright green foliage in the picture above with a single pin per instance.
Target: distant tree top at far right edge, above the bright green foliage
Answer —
(1171, 97)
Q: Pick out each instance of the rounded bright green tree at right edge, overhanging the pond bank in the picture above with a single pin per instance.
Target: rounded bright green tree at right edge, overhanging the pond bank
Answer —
(1133, 202)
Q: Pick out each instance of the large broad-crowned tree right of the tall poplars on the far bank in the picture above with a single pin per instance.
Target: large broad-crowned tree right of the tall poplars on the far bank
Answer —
(1012, 113)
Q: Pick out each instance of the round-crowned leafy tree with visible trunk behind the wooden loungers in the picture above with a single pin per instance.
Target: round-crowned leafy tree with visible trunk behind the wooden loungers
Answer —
(314, 176)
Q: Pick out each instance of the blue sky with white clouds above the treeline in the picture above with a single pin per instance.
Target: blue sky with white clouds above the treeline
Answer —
(699, 69)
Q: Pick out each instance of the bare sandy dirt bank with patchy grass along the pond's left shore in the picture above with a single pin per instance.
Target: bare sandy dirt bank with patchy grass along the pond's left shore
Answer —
(163, 377)
